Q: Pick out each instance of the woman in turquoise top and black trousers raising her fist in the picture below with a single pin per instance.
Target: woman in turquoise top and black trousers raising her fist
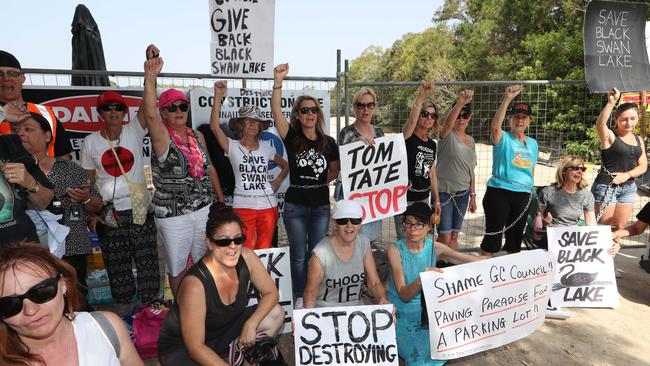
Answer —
(509, 189)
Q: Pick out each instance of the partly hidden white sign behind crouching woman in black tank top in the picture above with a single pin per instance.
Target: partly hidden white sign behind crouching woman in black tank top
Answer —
(276, 262)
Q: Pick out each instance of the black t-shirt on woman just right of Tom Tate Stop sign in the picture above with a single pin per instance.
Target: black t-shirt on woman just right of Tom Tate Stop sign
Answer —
(421, 156)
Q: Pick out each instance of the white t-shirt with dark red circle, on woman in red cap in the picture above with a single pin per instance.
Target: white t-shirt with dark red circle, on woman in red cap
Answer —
(96, 155)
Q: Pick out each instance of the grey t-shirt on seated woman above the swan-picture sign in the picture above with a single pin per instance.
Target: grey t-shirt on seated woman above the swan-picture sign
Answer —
(566, 208)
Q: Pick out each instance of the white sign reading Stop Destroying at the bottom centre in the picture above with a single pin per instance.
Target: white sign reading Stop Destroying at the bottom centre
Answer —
(353, 335)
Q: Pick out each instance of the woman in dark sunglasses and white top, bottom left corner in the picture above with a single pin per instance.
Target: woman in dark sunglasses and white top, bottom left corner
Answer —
(39, 325)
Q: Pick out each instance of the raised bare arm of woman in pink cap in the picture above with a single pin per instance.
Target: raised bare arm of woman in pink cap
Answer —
(157, 131)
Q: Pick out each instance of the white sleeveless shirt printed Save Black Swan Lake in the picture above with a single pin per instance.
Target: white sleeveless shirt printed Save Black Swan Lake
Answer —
(252, 187)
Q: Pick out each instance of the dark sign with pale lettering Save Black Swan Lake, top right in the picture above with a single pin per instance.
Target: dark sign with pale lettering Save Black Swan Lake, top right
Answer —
(615, 47)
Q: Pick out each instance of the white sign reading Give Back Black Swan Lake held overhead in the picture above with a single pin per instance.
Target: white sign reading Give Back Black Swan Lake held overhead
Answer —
(242, 38)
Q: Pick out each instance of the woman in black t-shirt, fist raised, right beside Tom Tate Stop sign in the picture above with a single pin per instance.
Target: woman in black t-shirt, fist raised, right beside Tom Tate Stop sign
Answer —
(421, 153)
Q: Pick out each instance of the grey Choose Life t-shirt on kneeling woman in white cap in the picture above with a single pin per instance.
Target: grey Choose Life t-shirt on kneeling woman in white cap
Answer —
(342, 280)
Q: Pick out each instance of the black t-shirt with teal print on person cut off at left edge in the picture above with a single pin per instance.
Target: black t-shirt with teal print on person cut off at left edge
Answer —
(15, 225)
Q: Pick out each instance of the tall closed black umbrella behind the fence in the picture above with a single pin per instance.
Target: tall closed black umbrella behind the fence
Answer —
(87, 49)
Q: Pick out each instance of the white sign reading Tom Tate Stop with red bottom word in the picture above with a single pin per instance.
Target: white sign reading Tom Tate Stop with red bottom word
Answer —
(376, 176)
